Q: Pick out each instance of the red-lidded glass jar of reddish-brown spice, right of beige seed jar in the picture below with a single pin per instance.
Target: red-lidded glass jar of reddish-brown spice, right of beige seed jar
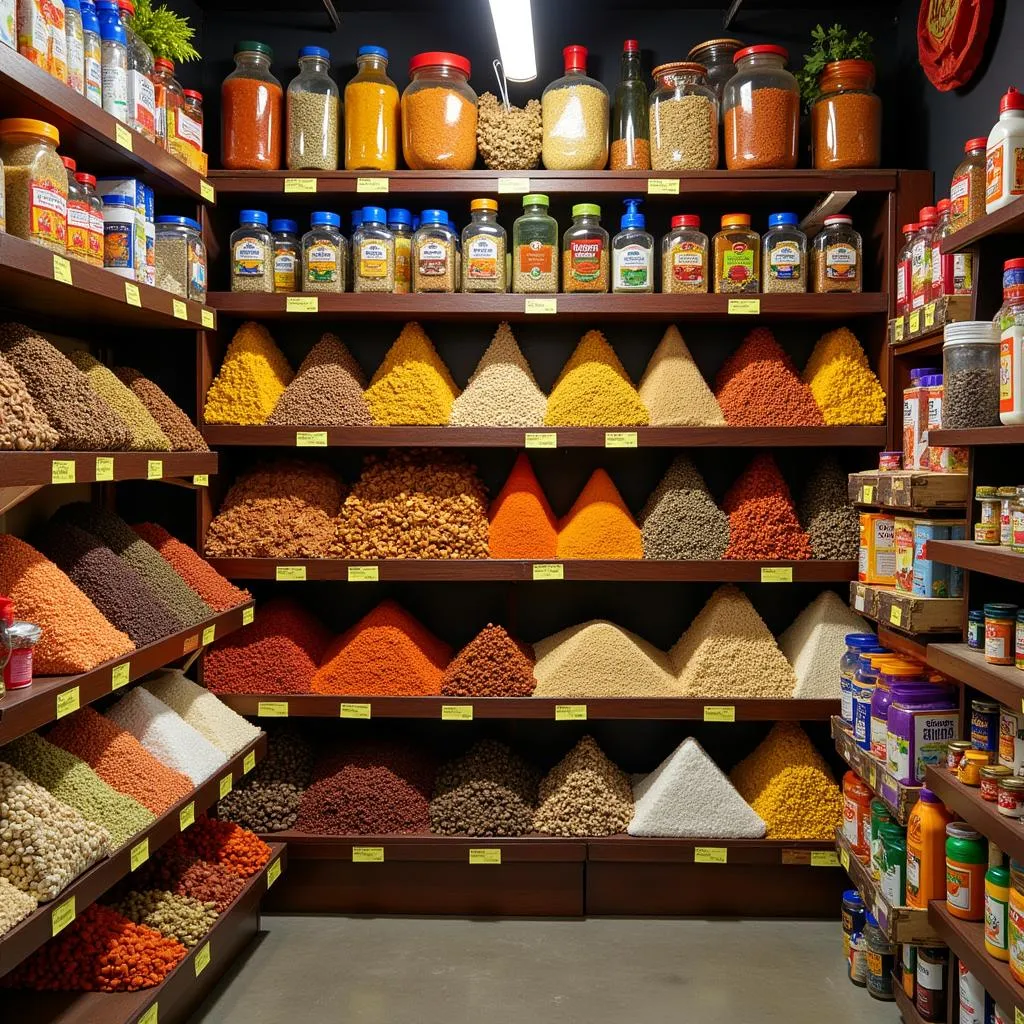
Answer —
(762, 111)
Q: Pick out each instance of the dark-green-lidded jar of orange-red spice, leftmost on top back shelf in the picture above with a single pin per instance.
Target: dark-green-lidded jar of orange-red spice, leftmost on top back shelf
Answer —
(251, 101)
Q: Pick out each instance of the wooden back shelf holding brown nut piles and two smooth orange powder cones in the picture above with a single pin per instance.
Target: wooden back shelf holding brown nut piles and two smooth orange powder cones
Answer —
(639, 570)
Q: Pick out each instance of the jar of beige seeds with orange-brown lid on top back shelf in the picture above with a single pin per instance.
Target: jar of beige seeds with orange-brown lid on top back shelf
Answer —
(684, 119)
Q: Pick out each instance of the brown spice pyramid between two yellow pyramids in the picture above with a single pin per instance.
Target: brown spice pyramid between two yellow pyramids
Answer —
(327, 391)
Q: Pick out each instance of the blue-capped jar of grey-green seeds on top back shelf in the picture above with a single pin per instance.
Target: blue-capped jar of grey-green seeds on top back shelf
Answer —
(313, 114)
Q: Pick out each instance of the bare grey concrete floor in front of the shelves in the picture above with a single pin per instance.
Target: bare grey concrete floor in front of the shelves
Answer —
(599, 971)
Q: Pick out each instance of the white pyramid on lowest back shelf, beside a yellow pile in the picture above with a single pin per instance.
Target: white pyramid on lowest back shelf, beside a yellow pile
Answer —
(688, 796)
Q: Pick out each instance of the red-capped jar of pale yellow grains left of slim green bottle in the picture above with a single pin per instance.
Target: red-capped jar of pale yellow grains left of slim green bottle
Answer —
(575, 109)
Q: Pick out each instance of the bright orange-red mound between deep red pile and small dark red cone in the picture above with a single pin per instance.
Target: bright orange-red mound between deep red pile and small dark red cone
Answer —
(387, 653)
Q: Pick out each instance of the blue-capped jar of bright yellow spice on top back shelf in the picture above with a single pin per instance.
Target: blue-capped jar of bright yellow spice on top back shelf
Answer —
(372, 114)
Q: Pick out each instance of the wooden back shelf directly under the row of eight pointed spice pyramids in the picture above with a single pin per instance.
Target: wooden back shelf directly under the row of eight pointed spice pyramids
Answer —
(224, 436)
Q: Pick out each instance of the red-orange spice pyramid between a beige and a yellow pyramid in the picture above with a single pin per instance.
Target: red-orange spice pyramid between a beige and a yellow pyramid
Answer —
(759, 387)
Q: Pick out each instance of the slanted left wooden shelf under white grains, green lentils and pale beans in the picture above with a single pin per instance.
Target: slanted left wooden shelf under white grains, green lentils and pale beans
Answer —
(37, 929)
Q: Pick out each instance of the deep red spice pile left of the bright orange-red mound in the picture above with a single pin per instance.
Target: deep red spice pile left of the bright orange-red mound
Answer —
(279, 654)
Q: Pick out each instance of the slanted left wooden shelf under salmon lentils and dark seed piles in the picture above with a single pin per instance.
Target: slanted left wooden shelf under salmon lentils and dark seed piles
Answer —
(35, 706)
